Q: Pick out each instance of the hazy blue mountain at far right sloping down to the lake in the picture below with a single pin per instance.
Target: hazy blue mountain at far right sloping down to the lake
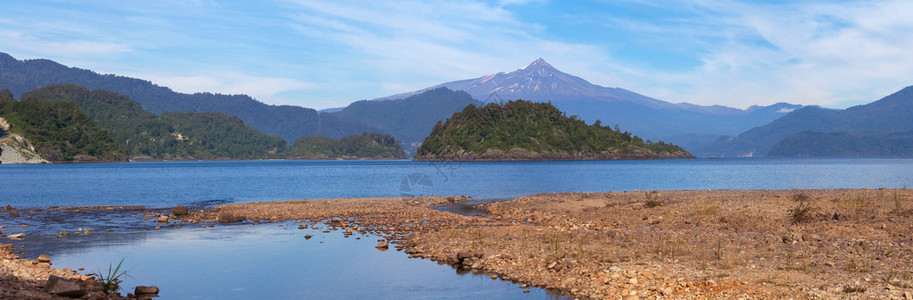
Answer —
(880, 128)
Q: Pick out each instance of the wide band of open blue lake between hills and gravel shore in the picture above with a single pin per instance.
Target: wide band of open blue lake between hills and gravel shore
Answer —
(165, 184)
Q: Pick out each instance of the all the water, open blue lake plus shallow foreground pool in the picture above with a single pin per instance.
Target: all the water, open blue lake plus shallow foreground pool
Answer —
(268, 261)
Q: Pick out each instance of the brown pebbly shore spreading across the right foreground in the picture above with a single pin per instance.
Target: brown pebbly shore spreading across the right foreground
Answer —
(801, 244)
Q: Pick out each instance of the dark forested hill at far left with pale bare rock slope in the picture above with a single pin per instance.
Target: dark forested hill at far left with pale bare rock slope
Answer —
(59, 132)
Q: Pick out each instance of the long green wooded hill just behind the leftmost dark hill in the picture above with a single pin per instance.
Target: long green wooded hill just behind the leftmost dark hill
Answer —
(172, 135)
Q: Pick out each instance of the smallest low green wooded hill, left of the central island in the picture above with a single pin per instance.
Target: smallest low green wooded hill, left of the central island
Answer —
(363, 146)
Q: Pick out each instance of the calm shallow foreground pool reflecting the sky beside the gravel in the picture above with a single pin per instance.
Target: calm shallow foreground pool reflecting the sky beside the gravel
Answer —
(270, 262)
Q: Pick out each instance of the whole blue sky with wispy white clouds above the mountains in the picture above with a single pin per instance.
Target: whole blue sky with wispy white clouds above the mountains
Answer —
(328, 53)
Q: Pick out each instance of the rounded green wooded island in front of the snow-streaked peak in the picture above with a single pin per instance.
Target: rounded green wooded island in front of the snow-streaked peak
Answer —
(523, 130)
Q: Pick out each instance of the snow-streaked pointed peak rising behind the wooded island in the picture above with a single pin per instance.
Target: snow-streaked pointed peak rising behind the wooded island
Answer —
(684, 124)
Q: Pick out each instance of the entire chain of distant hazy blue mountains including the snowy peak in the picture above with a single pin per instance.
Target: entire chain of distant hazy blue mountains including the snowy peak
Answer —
(702, 130)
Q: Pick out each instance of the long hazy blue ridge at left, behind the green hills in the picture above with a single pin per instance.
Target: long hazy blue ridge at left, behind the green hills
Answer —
(289, 122)
